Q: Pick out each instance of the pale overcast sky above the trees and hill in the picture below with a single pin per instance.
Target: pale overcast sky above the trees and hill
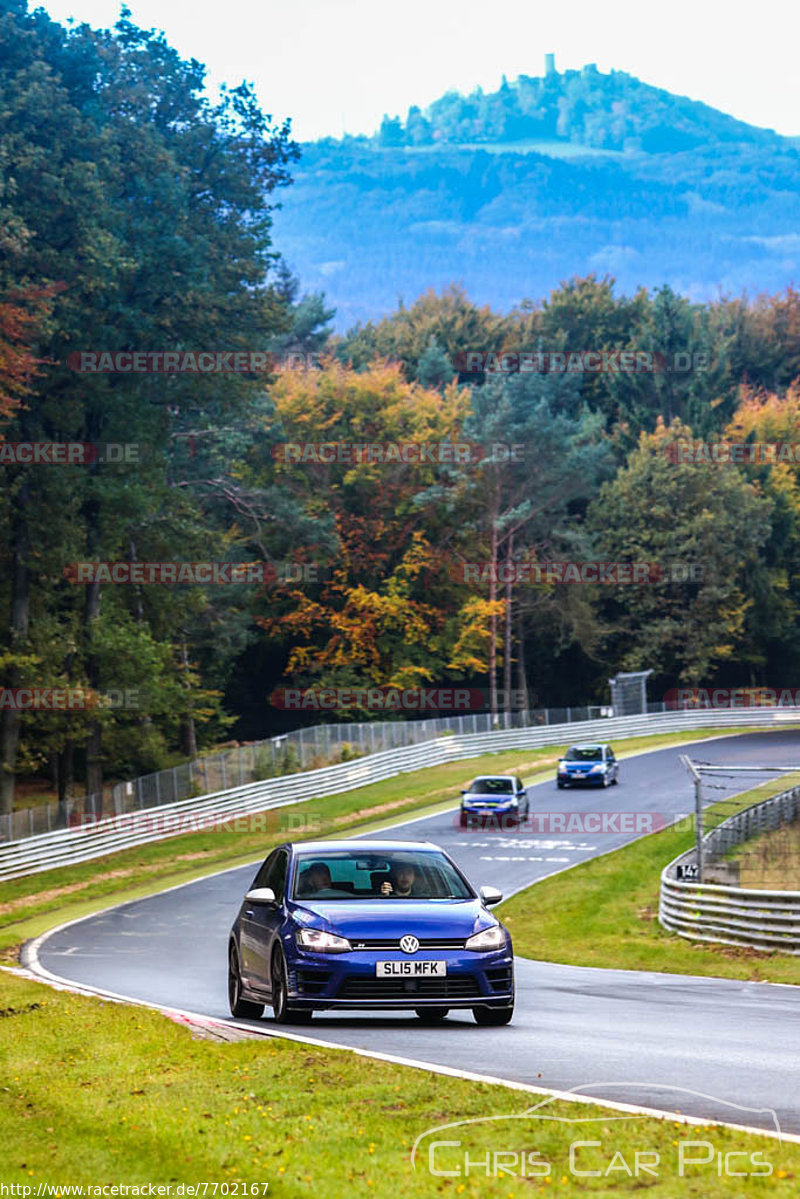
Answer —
(339, 65)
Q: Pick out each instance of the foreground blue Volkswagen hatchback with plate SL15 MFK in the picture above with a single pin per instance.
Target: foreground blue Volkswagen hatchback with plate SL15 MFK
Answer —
(368, 925)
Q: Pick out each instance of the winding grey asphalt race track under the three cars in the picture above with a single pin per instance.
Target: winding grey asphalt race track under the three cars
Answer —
(706, 1047)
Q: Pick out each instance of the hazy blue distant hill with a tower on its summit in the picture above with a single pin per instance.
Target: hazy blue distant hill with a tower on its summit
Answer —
(515, 191)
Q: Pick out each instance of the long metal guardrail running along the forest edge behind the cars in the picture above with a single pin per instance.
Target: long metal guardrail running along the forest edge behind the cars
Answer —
(68, 847)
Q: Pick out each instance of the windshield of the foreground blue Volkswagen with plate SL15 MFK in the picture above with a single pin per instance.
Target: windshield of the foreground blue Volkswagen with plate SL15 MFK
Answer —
(384, 877)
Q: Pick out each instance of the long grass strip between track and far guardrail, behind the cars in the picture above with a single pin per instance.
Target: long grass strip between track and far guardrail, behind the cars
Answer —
(31, 906)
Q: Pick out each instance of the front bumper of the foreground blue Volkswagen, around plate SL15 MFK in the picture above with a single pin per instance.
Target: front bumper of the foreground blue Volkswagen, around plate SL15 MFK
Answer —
(321, 981)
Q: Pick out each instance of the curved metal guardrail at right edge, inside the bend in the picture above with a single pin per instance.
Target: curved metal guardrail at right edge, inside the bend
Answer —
(732, 915)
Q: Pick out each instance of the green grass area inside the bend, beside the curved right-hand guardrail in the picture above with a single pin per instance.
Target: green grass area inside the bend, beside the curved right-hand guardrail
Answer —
(604, 913)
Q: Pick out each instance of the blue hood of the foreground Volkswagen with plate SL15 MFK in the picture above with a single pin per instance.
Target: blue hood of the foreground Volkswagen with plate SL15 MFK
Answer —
(395, 918)
